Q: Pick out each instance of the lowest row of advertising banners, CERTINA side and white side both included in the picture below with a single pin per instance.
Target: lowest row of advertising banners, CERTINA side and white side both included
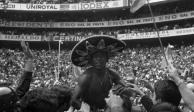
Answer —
(130, 36)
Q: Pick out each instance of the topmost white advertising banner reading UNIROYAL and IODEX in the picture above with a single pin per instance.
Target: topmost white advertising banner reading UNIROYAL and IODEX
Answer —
(62, 7)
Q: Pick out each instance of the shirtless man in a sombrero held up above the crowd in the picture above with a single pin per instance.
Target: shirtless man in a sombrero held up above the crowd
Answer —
(95, 83)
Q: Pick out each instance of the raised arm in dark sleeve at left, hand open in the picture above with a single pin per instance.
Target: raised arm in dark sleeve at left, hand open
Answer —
(25, 80)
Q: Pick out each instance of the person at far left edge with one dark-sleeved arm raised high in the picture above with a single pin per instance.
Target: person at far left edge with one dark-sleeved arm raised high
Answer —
(8, 96)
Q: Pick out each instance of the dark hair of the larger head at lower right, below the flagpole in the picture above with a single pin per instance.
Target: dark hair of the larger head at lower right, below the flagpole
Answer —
(167, 91)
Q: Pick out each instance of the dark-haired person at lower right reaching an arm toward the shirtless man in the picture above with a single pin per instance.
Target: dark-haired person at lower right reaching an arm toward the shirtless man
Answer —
(165, 91)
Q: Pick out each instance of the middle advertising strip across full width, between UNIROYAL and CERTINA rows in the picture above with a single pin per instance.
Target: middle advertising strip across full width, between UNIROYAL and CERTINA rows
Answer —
(128, 22)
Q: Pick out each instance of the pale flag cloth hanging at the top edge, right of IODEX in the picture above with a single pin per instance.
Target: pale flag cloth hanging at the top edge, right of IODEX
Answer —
(136, 4)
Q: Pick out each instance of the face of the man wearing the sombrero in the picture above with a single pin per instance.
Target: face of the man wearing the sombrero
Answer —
(99, 60)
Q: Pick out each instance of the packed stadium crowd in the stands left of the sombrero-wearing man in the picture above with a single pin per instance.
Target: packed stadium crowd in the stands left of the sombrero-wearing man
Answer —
(12, 63)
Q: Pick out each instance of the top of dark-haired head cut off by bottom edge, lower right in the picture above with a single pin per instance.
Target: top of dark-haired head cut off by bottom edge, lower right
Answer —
(164, 107)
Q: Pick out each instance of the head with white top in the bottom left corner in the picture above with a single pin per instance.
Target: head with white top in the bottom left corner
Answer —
(8, 99)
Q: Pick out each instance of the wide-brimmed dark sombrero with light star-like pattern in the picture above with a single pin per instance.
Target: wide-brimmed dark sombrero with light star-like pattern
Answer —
(82, 51)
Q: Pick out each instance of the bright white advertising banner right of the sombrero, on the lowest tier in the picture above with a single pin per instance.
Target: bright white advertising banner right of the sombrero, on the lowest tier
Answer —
(147, 35)
